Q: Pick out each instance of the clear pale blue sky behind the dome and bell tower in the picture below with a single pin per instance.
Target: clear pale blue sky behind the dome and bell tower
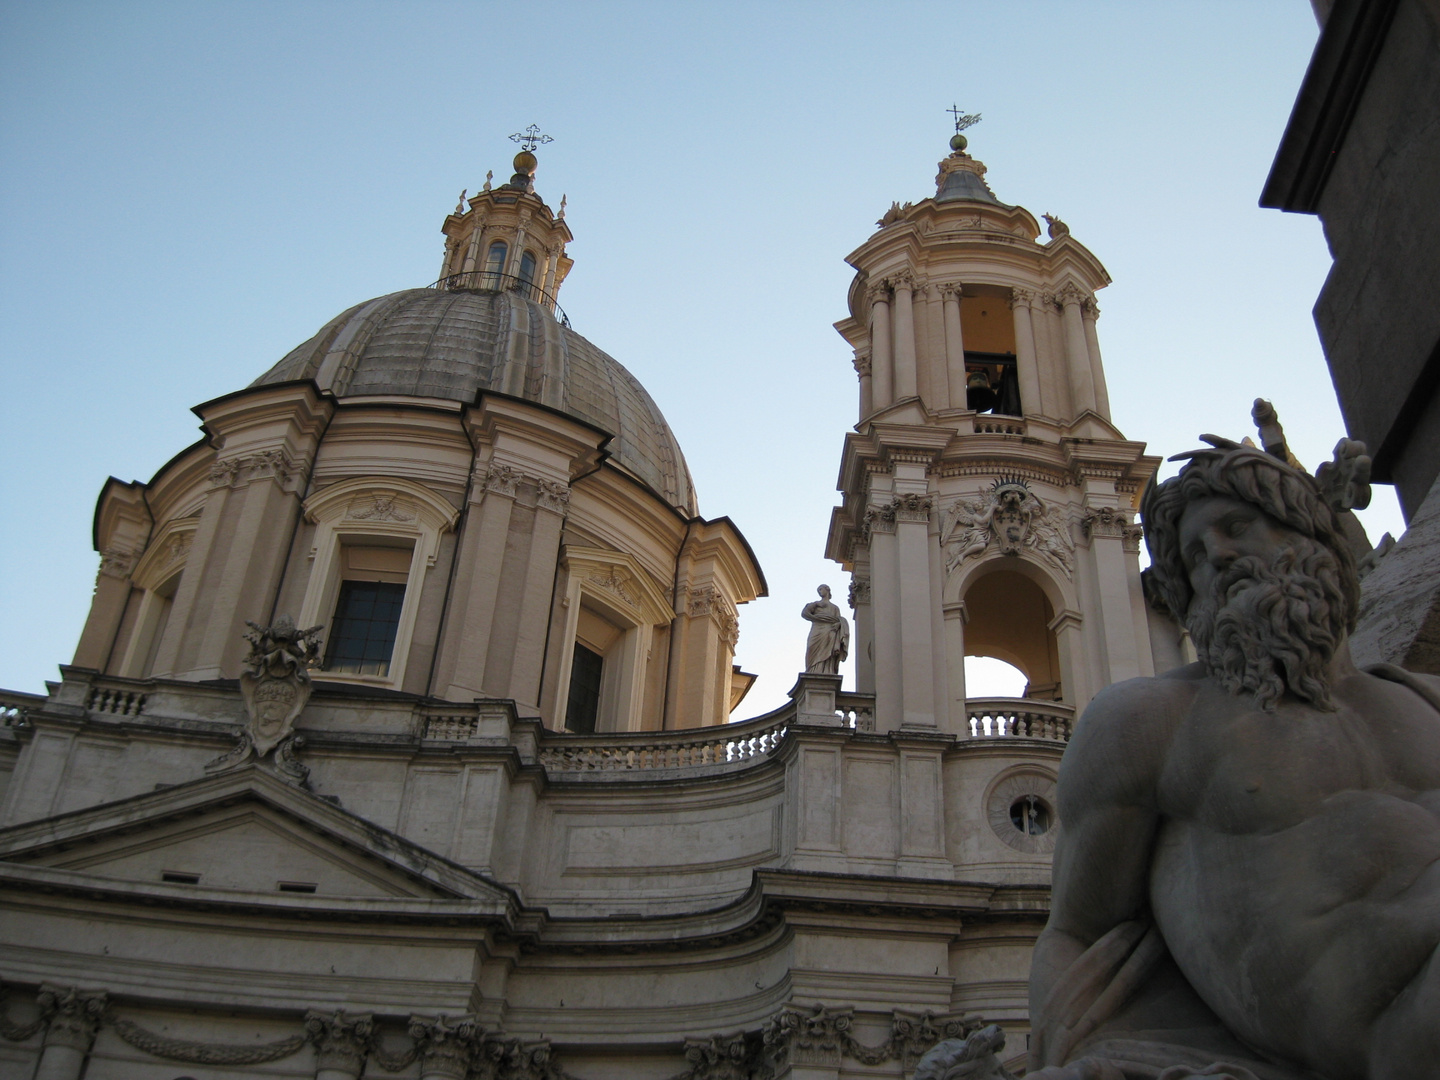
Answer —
(191, 189)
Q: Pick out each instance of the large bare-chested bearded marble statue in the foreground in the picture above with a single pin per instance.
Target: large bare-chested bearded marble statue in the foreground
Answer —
(1249, 878)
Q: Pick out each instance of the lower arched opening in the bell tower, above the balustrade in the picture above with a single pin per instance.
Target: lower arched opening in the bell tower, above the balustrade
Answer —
(1009, 618)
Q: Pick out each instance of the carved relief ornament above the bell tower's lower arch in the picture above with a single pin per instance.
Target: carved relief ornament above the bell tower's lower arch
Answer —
(1009, 518)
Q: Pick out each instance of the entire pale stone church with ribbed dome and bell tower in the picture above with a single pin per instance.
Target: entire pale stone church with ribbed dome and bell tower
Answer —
(499, 830)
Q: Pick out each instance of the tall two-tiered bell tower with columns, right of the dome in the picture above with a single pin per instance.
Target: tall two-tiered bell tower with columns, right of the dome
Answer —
(990, 503)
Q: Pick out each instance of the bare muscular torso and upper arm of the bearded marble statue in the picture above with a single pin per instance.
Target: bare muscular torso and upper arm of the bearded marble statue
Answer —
(1291, 860)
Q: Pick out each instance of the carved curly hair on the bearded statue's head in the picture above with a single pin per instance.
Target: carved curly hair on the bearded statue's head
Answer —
(1230, 470)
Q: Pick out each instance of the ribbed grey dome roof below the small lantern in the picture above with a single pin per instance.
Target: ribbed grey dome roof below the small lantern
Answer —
(453, 345)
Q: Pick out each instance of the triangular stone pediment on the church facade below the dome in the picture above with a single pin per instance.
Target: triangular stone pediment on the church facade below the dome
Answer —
(244, 832)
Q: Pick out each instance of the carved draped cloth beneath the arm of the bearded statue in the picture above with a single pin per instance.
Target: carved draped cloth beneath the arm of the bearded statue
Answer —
(1124, 1002)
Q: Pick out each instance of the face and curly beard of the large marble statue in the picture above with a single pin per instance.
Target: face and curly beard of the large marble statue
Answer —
(1268, 611)
